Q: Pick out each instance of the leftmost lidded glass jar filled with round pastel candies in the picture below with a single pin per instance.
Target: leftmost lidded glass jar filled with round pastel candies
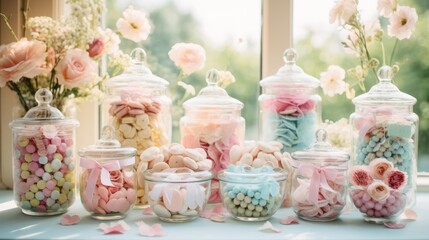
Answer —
(43, 156)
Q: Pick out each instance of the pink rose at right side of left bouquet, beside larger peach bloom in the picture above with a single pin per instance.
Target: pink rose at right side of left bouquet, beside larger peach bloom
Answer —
(76, 69)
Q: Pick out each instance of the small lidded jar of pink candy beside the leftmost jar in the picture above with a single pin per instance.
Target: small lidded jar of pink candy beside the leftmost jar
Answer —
(107, 180)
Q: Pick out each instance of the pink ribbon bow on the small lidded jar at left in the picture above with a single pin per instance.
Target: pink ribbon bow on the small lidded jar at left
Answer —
(101, 171)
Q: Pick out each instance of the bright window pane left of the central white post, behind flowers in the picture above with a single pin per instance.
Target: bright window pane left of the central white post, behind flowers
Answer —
(229, 32)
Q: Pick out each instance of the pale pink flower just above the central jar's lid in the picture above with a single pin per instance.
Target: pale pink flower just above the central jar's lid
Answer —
(189, 57)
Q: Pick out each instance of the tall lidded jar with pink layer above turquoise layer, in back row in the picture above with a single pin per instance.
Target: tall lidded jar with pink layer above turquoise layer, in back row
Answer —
(289, 106)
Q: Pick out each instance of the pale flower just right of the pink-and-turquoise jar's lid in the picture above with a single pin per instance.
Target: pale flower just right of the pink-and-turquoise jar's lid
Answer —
(332, 81)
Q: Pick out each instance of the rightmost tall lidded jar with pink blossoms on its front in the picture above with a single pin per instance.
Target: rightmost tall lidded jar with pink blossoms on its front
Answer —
(385, 143)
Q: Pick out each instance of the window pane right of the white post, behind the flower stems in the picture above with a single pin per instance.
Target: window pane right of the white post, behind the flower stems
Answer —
(319, 45)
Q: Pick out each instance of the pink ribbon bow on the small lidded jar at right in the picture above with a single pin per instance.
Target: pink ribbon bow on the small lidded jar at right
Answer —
(319, 178)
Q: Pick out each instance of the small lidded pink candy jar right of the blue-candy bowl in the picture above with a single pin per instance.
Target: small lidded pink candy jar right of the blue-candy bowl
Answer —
(319, 188)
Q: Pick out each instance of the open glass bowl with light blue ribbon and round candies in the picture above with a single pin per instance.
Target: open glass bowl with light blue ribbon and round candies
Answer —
(252, 194)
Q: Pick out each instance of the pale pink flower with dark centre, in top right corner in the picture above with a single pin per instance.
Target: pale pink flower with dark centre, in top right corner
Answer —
(402, 22)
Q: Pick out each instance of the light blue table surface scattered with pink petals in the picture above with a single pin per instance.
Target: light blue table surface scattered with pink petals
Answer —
(14, 224)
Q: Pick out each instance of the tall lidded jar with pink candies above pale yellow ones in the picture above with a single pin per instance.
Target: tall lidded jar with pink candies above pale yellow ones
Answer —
(138, 108)
